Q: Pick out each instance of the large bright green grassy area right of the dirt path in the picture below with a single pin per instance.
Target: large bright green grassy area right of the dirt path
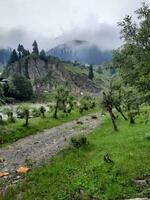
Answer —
(85, 170)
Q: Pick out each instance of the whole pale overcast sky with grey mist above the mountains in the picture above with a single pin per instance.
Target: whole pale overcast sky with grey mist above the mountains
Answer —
(54, 21)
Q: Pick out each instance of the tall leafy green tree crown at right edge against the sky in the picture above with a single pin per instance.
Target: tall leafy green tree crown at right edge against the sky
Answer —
(132, 59)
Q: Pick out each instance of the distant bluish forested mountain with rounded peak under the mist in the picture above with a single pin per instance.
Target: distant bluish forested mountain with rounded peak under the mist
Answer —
(80, 51)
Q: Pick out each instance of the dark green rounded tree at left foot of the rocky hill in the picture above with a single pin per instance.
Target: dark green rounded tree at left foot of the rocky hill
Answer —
(21, 87)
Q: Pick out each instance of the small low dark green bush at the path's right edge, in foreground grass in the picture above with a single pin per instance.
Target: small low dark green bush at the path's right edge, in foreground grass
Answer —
(79, 141)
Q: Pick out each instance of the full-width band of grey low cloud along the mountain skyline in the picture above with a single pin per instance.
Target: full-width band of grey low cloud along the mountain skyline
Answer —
(105, 36)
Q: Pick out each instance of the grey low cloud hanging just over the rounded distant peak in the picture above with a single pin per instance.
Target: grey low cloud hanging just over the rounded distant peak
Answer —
(105, 36)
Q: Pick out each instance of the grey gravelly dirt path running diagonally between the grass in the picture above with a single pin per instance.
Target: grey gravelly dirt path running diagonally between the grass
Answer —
(39, 148)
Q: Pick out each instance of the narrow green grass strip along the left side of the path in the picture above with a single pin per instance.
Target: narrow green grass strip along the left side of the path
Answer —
(11, 132)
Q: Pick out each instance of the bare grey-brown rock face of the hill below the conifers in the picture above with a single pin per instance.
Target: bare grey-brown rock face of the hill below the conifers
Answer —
(45, 75)
